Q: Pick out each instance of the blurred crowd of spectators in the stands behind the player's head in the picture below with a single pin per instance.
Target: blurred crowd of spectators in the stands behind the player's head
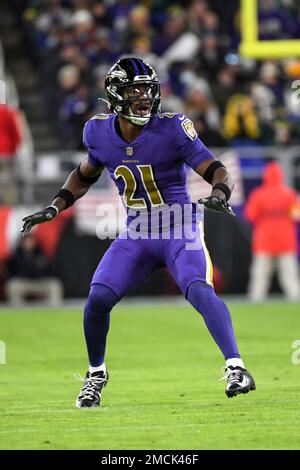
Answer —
(193, 45)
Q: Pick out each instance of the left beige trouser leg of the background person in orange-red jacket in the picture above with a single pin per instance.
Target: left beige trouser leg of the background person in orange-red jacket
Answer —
(260, 277)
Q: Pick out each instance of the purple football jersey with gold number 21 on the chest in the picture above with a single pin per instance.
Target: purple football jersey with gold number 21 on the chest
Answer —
(150, 171)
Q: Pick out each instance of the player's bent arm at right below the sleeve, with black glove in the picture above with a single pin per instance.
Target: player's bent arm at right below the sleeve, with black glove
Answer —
(215, 173)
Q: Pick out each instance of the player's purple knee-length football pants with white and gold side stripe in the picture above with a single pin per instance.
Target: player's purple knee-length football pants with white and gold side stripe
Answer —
(128, 263)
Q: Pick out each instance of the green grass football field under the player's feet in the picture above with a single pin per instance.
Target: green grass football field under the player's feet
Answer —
(164, 390)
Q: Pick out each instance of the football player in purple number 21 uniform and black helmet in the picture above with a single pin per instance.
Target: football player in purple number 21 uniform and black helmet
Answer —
(146, 154)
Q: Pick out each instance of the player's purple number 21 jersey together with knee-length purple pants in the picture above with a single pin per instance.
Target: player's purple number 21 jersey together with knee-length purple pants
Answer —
(150, 173)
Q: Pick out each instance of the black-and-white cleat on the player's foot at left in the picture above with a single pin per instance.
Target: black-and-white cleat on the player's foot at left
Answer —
(90, 394)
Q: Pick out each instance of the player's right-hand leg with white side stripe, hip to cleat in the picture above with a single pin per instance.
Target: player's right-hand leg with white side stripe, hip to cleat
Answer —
(192, 270)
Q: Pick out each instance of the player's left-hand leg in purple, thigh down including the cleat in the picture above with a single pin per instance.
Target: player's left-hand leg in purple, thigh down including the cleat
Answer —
(124, 265)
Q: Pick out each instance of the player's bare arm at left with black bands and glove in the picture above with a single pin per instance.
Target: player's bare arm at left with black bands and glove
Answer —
(76, 186)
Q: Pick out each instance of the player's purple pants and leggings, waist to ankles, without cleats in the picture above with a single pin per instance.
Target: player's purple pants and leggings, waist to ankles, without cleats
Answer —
(128, 263)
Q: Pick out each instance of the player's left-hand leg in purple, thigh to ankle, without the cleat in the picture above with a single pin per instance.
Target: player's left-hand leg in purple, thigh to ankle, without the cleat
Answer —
(125, 265)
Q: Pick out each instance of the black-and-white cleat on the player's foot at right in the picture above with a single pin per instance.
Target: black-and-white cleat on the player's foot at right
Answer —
(238, 381)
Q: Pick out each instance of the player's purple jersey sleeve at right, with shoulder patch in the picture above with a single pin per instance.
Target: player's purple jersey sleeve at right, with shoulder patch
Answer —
(192, 150)
